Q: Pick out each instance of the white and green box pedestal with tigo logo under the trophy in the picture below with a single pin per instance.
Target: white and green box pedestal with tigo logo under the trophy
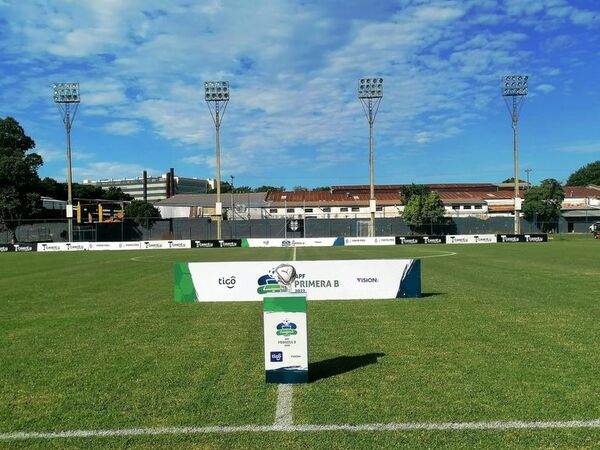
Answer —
(286, 338)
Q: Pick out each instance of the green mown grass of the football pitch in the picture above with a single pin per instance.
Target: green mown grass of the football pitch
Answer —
(507, 332)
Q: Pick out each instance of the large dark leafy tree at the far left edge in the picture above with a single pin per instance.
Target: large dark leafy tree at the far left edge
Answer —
(19, 180)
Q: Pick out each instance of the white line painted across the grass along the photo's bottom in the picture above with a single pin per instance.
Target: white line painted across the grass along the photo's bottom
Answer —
(408, 426)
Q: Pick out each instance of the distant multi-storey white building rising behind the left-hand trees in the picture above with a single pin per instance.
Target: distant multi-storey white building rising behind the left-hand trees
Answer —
(157, 187)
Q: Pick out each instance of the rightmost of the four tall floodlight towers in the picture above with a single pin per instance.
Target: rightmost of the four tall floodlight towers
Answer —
(515, 88)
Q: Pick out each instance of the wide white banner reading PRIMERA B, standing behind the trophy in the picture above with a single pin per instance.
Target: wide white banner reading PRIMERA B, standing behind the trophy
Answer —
(320, 280)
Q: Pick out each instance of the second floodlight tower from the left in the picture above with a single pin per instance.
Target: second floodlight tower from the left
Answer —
(216, 94)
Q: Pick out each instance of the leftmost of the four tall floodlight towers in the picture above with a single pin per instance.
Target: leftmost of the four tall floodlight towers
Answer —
(66, 97)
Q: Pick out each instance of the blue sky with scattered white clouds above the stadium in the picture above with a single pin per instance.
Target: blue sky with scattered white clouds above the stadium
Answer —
(293, 67)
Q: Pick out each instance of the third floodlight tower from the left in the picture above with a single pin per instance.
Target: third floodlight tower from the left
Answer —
(370, 93)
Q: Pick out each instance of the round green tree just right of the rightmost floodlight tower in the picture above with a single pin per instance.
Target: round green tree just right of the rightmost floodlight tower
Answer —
(543, 203)
